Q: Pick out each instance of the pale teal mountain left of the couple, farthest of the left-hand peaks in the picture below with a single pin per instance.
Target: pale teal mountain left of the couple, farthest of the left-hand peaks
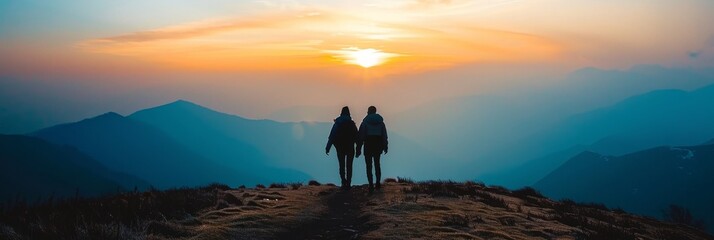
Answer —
(240, 143)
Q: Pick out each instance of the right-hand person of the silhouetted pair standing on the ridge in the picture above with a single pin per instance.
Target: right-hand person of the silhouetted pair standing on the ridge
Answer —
(373, 135)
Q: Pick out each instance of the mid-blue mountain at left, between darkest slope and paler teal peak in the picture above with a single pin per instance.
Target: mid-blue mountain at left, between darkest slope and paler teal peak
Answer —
(129, 146)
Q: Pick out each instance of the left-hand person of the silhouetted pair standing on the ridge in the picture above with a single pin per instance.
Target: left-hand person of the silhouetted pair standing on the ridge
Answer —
(344, 136)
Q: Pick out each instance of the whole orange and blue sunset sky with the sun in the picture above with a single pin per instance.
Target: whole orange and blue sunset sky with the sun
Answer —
(65, 60)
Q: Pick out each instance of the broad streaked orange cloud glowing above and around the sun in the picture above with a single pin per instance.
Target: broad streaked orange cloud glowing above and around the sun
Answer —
(313, 38)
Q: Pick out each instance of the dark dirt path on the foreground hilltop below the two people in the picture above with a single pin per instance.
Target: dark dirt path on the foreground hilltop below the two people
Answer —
(342, 220)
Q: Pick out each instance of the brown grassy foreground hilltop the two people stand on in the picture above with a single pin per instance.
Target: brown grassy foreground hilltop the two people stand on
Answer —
(402, 210)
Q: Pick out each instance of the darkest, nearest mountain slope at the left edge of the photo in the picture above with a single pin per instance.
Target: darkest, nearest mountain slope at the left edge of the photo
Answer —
(32, 168)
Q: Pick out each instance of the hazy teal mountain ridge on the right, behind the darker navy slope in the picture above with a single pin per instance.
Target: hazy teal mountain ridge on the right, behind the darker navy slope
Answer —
(663, 117)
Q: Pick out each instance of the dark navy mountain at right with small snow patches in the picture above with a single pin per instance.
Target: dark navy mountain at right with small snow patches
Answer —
(643, 182)
